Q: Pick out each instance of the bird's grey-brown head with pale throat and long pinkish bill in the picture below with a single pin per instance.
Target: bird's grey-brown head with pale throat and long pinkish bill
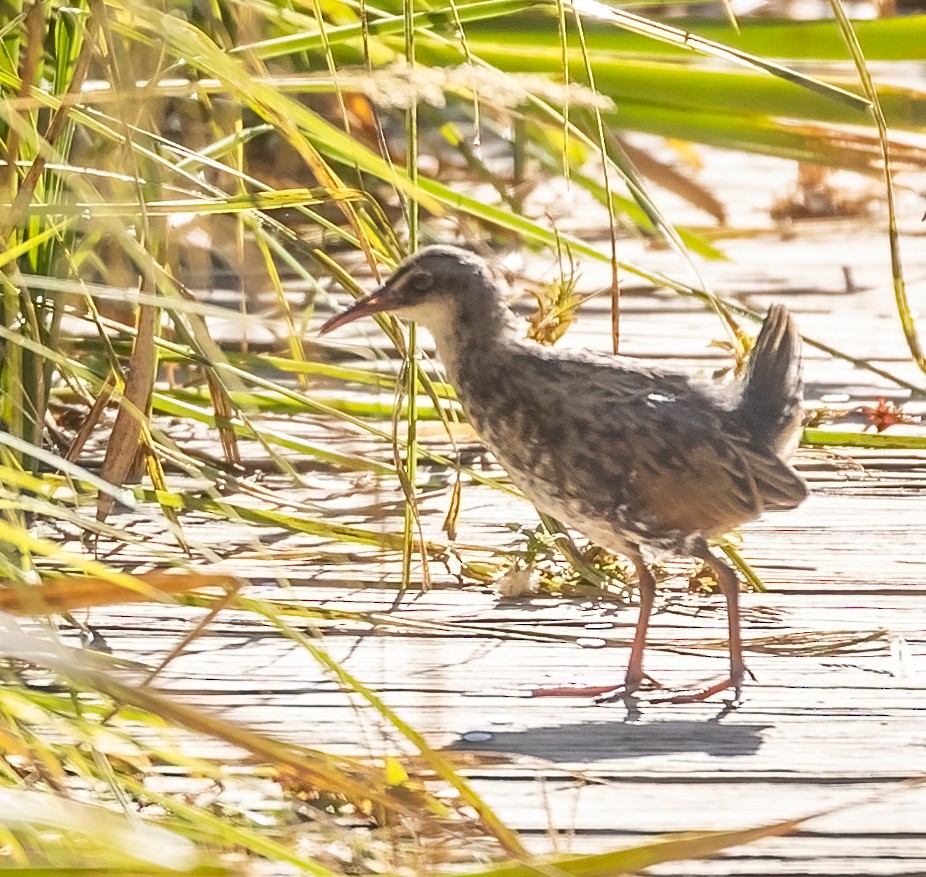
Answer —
(440, 287)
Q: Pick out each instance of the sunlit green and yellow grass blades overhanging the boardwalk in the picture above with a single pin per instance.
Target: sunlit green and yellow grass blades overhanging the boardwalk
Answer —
(141, 147)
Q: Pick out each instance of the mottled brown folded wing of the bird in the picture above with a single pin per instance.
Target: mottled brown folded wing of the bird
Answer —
(652, 442)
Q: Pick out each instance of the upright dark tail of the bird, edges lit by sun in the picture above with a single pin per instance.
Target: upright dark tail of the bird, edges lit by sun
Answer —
(770, 406)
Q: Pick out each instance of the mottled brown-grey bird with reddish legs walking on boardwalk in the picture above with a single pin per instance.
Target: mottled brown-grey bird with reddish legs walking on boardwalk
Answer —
(645, 462)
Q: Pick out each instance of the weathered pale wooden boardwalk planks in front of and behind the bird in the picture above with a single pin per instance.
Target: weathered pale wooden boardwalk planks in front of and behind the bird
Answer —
(837, 716)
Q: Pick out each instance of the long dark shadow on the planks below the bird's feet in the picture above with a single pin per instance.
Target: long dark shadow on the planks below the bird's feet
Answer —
(589, 741)
